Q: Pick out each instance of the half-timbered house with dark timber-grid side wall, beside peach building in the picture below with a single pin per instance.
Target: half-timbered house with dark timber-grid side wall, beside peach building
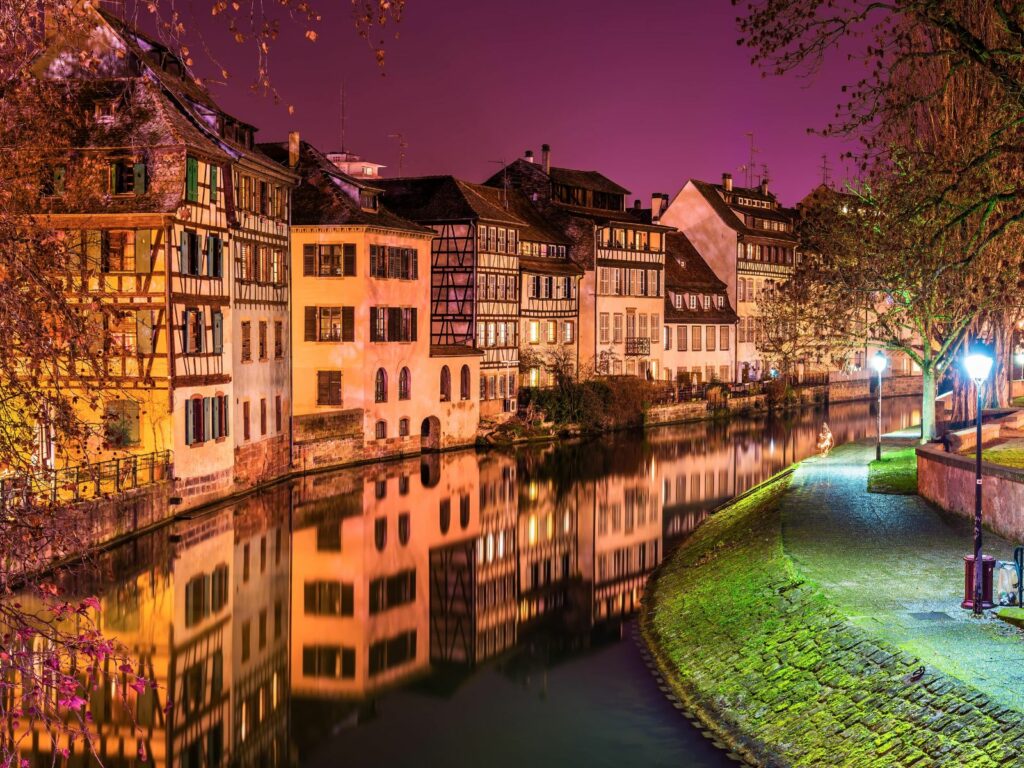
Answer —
(475, 275)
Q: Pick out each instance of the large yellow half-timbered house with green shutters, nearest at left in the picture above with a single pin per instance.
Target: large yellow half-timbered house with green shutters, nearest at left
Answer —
(161, 250)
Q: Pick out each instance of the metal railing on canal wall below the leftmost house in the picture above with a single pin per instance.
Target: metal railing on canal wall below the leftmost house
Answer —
(88, 481)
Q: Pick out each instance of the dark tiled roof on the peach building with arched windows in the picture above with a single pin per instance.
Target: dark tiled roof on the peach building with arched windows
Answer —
(323, 196)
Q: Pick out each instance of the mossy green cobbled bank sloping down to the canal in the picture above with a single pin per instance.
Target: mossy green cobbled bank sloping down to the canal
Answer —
(785, 678)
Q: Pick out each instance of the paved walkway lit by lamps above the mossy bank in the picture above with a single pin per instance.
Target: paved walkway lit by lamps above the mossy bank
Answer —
(894, 566)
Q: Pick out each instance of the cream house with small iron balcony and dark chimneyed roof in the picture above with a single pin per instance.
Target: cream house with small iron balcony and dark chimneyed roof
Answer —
(622, 255)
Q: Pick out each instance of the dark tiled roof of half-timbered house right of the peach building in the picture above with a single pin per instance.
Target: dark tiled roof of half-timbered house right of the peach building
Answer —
(437, 199)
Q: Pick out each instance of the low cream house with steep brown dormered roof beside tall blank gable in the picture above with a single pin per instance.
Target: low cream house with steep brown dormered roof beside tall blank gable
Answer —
(700, 322)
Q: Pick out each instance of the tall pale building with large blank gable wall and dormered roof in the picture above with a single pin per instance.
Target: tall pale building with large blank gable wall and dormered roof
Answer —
(748, 239)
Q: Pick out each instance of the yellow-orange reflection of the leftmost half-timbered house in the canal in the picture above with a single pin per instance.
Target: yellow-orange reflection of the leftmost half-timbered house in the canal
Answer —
(182, 620)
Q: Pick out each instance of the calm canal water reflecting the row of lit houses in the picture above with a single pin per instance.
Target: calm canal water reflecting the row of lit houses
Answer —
(457, 610)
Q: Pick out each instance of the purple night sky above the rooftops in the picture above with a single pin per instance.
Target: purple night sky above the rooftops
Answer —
(651, 94)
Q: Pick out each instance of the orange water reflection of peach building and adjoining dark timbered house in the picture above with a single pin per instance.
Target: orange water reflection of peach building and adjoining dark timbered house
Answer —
(401, 566)
